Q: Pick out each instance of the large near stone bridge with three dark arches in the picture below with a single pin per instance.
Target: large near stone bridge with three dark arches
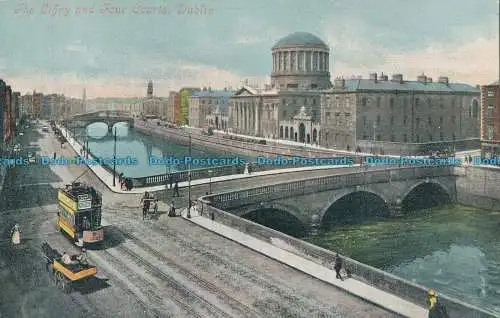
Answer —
(314, 202)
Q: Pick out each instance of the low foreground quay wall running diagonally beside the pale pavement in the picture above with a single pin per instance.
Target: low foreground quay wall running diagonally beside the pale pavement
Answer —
(379, 279)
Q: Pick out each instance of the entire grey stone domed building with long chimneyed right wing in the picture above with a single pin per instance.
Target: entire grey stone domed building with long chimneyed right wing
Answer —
(377, 114)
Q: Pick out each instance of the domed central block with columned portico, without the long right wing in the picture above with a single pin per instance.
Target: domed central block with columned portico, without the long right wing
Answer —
(288, 108)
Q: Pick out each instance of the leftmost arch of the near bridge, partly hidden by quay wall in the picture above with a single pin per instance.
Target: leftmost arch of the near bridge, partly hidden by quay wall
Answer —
(278, 216)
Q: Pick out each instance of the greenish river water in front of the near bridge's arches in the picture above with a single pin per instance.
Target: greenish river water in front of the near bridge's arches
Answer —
(454, 249)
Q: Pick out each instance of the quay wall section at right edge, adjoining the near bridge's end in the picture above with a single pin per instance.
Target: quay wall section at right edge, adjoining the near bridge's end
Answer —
(479, 187)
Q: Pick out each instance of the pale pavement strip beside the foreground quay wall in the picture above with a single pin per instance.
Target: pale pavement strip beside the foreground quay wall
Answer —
(369, 293)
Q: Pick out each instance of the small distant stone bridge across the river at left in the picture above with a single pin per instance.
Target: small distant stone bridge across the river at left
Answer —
(110, 118)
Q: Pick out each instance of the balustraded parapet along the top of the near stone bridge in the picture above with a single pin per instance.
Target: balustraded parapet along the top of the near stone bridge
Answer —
(282, 190)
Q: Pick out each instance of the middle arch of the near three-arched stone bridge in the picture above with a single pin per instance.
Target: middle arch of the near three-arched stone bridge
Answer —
(352, 204)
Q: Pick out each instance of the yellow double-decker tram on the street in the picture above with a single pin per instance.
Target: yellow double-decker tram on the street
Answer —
(79, 213)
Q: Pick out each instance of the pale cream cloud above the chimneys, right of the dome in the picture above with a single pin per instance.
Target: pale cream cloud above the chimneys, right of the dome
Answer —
(475, 62)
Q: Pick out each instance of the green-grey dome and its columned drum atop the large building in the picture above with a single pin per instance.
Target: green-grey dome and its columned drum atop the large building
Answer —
(301, 61)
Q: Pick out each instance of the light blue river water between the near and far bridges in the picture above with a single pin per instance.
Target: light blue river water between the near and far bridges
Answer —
(134, 144)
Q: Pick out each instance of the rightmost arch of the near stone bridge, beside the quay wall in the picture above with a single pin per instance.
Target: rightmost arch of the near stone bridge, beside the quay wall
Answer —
(425, 194)
